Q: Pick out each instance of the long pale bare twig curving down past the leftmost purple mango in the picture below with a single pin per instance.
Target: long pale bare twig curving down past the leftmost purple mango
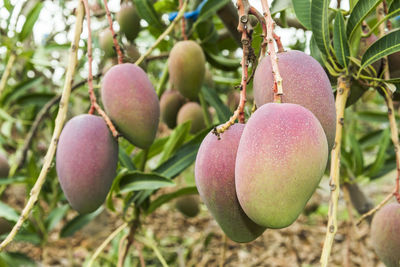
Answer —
(62, 113)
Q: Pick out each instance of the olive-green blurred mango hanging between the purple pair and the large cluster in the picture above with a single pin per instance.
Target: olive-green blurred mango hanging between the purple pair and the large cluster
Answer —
(187, 68)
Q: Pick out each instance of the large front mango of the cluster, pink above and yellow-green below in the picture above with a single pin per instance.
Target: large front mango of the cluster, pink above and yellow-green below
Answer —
(280, 161)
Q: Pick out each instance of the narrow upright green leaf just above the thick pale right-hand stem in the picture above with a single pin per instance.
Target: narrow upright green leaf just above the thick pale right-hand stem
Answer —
(340, 43)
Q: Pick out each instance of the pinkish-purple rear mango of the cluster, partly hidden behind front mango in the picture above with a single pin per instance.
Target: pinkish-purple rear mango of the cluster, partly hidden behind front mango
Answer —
(304, 83)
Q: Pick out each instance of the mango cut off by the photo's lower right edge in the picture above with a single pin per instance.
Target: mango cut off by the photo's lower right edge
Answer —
(385, 234)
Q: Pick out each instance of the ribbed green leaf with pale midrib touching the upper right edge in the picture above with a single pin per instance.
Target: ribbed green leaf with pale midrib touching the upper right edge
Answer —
(388, 44)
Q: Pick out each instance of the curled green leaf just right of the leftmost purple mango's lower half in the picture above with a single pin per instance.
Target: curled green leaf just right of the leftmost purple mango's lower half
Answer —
(135, 181)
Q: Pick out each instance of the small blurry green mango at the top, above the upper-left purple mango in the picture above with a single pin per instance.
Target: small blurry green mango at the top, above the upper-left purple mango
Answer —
(129, 21)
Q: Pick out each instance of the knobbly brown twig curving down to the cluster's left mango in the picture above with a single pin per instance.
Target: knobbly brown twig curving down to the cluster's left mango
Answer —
(243, 11)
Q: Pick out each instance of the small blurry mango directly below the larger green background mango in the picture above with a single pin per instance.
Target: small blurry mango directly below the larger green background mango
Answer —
(192, 111)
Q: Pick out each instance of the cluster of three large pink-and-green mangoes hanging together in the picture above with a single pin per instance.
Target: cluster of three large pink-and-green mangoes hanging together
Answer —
(261, 174)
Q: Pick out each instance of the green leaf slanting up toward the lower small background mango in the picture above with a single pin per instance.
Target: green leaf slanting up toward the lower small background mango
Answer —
(175, 140)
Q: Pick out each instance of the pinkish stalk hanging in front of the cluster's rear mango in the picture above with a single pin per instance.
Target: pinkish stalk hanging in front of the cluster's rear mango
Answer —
(269, 38)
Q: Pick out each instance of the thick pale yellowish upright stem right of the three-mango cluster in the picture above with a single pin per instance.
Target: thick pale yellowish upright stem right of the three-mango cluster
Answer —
(343, 89)
